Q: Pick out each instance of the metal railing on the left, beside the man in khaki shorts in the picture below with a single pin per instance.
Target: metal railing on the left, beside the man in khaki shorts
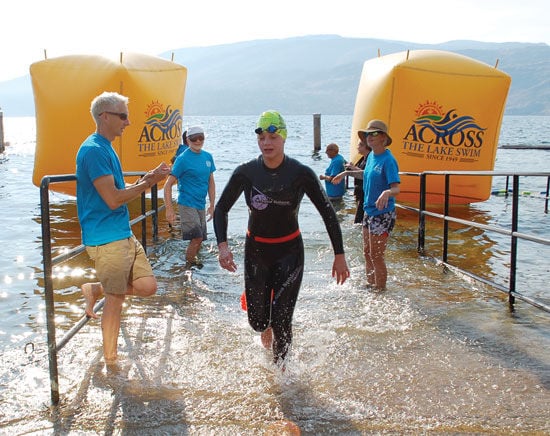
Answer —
(53, 346)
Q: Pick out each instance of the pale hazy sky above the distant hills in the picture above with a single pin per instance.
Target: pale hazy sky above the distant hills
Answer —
(107, 27)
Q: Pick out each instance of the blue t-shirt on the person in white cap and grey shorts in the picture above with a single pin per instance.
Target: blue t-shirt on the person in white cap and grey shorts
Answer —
(193, 173)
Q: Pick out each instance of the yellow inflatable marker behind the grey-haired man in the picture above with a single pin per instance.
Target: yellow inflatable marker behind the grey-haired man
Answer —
(64, 88)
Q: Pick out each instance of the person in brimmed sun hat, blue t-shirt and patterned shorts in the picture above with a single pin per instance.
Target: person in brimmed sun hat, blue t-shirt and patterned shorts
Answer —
(381, 185)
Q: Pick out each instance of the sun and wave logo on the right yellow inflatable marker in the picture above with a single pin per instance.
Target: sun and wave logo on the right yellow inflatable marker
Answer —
(443, 135)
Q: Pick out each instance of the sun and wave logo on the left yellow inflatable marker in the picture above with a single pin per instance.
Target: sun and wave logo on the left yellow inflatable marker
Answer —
(162, 130)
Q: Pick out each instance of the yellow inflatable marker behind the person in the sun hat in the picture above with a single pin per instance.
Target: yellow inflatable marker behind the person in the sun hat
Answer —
(444, 113)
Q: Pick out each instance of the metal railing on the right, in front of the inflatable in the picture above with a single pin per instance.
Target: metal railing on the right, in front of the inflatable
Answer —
(514, 235)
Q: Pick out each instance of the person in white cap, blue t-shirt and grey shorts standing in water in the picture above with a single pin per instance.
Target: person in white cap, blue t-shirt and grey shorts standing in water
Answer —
(193, 171)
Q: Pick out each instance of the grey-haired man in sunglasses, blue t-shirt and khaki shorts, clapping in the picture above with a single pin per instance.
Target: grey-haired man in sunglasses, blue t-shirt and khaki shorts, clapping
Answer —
(101, 198)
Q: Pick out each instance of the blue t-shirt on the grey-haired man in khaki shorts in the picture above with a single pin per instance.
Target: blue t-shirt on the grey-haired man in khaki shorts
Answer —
(100, 225)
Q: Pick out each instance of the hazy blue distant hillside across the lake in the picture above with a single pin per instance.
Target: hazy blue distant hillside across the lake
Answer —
(315, 74)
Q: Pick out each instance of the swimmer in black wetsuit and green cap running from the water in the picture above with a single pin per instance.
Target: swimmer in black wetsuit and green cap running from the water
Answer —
(274, 185)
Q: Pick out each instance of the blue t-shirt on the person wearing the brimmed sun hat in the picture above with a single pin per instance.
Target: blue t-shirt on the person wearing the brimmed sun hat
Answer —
(380, 172)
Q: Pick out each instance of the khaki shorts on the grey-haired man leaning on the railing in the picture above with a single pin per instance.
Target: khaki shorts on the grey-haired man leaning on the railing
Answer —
(119, 263)
